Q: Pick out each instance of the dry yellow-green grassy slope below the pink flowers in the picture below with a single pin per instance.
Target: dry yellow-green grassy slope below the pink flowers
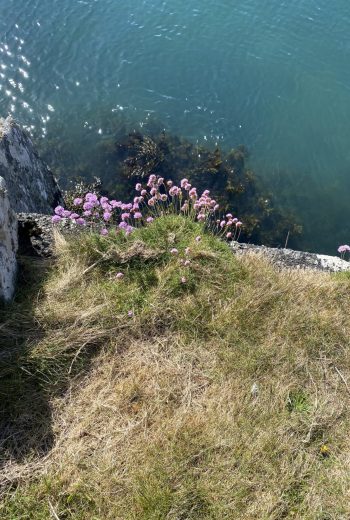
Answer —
(153, 416)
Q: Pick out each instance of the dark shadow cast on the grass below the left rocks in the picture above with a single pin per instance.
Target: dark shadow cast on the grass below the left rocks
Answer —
(25, 414)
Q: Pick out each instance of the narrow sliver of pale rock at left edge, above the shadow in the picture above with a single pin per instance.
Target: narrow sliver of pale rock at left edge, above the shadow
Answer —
(8, 244)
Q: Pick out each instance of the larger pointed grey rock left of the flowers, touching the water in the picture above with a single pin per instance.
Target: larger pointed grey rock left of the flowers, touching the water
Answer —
(31, 185)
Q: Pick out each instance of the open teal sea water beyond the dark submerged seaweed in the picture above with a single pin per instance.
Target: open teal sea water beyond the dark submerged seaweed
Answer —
(274, 76)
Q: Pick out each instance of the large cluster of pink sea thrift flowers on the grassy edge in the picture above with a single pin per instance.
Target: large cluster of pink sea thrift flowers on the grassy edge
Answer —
(156, 198)
